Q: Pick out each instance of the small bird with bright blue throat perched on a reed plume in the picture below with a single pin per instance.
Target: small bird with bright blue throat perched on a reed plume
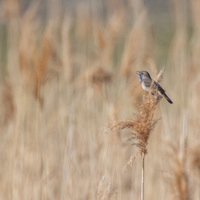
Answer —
(146, 83)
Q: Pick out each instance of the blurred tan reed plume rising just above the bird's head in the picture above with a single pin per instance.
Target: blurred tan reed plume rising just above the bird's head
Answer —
(138, 49)
